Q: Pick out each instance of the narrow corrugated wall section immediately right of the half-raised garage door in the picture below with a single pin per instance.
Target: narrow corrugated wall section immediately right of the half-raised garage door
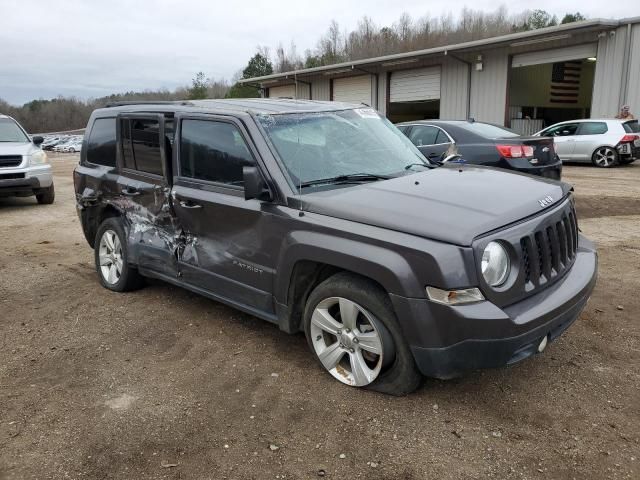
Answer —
(454, 90)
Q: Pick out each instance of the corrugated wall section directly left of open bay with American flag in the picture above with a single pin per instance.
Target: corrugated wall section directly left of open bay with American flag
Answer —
(489, 88)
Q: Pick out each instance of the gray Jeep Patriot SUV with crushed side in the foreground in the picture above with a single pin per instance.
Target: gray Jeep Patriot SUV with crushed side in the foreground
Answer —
(322, 217)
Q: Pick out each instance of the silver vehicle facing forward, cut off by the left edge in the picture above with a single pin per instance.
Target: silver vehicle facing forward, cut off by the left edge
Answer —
(24, 168)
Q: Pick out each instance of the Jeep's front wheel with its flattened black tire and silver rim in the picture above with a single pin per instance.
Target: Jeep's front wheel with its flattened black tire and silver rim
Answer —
(352, 331)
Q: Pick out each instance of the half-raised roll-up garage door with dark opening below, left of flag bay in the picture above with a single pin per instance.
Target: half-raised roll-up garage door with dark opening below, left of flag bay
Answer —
(415, 85)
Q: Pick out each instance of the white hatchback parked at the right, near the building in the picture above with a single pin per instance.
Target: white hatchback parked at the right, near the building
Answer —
(603, 142)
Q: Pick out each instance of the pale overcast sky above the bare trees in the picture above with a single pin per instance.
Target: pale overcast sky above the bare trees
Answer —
(91, 48)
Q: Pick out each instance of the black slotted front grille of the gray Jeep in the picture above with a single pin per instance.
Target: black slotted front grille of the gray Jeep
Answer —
(550, 251)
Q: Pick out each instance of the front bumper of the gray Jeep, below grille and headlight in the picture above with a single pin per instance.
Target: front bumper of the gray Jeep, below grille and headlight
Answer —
(449, 340)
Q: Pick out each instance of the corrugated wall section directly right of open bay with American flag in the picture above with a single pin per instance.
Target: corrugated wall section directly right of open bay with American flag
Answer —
(608, 77)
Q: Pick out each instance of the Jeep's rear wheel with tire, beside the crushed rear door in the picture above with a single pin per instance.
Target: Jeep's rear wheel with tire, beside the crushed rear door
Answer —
(111, 258)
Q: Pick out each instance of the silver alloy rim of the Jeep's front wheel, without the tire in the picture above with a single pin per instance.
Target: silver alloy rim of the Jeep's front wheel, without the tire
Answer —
(347, 342)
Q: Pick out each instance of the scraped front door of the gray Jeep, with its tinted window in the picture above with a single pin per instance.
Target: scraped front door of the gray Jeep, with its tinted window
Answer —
(223, 237)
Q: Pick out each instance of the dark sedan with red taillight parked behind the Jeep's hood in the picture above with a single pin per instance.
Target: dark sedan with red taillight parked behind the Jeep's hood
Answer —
(484, 144)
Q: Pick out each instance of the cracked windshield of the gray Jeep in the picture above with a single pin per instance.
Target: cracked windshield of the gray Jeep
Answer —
(325, 145)
